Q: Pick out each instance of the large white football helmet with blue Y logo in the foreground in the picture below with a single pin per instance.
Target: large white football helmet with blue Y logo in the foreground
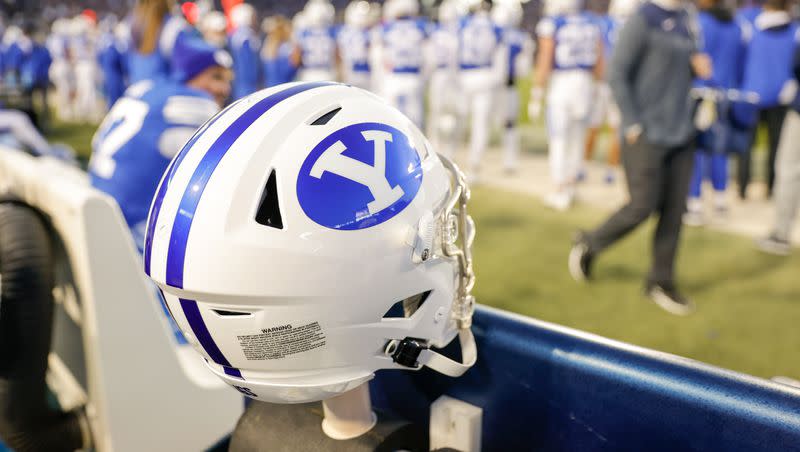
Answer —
(308, 236)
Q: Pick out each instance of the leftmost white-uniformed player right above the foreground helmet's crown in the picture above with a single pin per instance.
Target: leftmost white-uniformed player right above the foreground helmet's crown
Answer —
(317, 42)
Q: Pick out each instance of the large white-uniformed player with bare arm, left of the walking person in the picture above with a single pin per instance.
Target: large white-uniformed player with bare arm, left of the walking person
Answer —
(571, 58)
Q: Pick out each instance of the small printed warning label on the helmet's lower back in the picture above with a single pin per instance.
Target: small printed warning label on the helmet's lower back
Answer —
(281, 341)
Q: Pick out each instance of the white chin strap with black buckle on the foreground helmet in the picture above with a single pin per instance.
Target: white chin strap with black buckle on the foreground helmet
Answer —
(415, 354)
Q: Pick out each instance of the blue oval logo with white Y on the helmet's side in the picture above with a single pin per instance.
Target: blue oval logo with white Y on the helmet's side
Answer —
(359, 177)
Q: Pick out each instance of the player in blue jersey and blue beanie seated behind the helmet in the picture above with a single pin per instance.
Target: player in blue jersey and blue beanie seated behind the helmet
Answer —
(151, 122)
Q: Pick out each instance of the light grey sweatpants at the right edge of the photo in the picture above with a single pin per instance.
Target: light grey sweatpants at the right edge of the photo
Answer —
(787, 172)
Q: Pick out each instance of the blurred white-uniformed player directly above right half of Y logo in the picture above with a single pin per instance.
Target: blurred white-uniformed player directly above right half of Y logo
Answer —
(401, 43)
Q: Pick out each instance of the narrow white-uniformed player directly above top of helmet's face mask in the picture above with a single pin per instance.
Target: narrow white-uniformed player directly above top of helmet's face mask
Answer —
(443, 105)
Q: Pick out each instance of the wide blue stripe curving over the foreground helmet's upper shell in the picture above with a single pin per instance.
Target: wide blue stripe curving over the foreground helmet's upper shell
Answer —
(194, 191)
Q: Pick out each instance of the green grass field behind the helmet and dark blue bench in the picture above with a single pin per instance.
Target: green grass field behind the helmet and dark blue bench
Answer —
(748, 304)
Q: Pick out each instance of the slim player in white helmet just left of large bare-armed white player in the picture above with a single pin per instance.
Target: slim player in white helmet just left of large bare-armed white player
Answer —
(519, 46)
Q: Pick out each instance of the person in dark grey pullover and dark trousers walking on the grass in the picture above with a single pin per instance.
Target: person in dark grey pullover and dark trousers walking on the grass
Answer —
(651, 75)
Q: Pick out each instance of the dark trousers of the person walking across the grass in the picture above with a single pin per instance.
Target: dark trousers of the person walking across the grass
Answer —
(658, 182)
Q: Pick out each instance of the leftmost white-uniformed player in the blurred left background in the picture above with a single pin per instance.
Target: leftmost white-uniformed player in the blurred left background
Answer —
(61, 70)
